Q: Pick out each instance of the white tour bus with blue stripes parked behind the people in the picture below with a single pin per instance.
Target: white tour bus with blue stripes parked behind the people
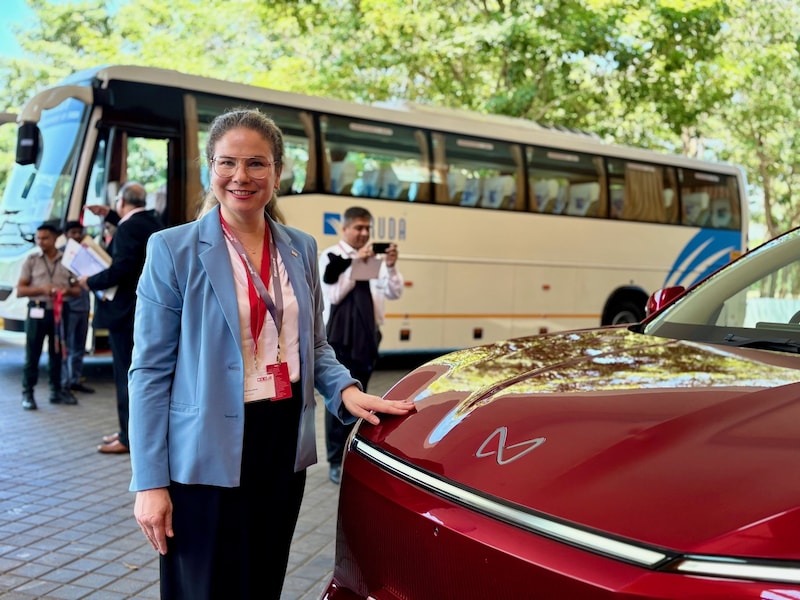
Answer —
(504, 227)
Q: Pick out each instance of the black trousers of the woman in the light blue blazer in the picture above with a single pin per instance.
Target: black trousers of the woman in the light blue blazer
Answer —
(233, 543)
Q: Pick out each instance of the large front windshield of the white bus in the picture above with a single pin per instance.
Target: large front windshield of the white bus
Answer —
(40, 192)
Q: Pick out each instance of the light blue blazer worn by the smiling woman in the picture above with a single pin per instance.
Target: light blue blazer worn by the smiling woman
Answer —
(186, 381)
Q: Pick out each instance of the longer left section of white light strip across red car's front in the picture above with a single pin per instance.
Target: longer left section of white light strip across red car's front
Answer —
(547, 526)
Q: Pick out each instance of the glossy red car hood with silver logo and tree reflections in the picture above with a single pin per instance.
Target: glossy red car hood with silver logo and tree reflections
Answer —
(677, 444)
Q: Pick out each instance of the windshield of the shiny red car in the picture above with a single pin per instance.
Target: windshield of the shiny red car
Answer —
(753, 302)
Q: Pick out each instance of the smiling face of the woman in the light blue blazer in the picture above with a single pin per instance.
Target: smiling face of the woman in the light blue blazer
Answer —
(242, 197)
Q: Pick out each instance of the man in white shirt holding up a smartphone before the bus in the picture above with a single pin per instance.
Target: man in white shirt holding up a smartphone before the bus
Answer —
(354, 309)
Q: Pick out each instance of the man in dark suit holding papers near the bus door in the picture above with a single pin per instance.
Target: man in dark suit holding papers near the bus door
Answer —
(135, 224)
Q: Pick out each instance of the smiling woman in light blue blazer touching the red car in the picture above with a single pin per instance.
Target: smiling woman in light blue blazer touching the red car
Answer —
(229, 343)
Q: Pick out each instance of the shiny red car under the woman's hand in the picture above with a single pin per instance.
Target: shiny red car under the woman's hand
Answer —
(650, 461)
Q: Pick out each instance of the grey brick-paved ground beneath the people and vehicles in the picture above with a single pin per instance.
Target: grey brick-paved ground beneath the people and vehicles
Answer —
(66, 517)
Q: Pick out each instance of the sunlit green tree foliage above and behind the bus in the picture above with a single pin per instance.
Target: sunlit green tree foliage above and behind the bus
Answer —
(706, 78)
